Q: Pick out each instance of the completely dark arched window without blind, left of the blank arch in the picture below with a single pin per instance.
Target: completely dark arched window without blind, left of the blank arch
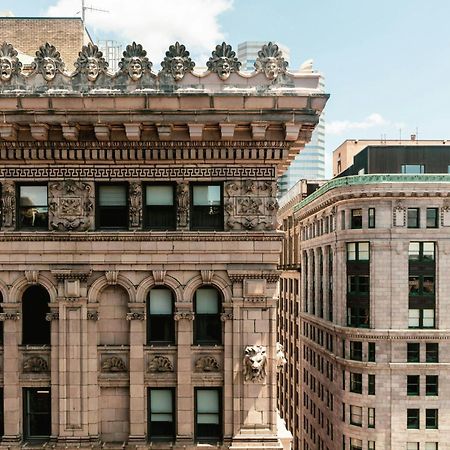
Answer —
(35, 328)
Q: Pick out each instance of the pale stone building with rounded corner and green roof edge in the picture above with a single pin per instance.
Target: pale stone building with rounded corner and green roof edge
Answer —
(364, 305)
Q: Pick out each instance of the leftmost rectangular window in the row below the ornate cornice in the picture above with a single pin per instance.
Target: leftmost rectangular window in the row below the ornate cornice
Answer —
(33, 207)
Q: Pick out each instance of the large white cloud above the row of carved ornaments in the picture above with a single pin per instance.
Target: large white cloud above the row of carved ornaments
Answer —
(155, 24)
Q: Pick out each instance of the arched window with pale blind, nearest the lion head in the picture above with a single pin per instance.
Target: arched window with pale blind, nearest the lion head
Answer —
(207, 323)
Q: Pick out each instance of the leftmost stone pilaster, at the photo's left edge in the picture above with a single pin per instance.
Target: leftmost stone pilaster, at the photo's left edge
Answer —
(11, 372)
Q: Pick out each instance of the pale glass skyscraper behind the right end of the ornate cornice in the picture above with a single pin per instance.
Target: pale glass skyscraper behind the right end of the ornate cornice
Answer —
(310, 162)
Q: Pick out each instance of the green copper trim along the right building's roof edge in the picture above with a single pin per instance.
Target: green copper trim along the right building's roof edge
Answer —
(371, 179)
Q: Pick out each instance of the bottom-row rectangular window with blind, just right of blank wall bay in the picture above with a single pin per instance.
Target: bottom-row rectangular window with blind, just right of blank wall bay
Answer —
(161, 422)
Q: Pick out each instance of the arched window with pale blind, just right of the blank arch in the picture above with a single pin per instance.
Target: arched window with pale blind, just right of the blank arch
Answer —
(160, 322)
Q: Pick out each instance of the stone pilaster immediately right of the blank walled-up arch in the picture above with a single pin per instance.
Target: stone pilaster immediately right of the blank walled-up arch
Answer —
(136, 316)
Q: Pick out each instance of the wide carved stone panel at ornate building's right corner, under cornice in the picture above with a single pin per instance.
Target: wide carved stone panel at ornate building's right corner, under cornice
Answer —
(250, 205)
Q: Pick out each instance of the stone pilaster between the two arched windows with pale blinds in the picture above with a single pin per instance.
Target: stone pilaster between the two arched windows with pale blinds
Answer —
(185, 406)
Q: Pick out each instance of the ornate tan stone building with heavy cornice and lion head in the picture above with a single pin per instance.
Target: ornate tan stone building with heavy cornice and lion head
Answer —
(139, 250)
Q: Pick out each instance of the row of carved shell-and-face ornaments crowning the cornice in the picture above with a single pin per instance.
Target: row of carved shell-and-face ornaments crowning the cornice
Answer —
(134, 63)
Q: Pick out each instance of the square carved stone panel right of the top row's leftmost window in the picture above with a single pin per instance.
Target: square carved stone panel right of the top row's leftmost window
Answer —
(71, 206)
